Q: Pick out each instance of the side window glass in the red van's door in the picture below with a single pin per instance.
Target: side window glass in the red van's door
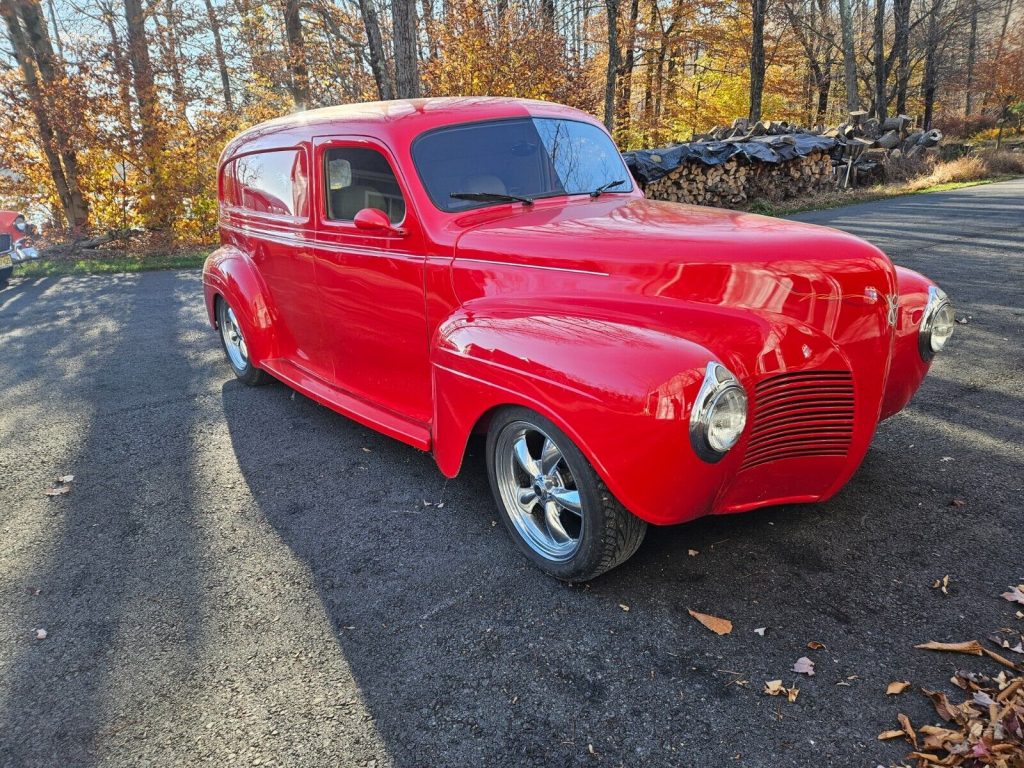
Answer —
(356, 179)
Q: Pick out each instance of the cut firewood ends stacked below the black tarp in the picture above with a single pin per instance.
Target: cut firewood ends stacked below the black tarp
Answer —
(740, 181)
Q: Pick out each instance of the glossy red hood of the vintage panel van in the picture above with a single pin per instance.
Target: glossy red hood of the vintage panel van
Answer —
(689, 253)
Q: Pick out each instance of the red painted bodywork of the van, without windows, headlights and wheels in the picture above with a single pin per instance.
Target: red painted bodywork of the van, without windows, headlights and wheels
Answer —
(603, 315)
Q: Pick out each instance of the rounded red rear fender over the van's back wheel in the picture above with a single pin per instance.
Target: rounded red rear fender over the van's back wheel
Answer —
(231, 274)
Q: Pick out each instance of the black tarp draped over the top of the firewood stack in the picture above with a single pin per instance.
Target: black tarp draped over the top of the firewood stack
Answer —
(651, 165)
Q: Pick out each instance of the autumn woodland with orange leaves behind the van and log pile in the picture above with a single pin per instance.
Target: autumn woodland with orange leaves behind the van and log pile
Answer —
(113, 113)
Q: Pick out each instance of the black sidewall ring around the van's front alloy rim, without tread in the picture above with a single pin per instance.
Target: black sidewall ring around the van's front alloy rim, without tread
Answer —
(587, 559)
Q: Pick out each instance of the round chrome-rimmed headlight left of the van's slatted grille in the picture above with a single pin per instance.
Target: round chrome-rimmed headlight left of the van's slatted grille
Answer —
(719, 414)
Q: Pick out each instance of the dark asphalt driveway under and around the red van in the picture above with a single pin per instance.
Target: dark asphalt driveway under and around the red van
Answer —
(242, 577)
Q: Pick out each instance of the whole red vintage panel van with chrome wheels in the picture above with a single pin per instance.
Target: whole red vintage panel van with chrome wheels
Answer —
(438, 268)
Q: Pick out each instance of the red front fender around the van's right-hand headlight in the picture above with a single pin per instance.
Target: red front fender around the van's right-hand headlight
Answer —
(909, 368)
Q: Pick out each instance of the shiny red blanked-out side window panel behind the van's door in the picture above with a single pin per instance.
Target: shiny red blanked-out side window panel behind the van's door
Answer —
(274, 183)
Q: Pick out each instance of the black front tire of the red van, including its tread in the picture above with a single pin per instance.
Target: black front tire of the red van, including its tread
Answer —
(609, 534)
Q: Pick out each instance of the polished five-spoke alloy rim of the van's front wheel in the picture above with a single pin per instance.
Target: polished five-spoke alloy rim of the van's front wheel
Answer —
(539, 491)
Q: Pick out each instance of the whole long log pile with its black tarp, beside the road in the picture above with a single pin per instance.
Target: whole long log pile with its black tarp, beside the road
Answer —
(733, 165)
